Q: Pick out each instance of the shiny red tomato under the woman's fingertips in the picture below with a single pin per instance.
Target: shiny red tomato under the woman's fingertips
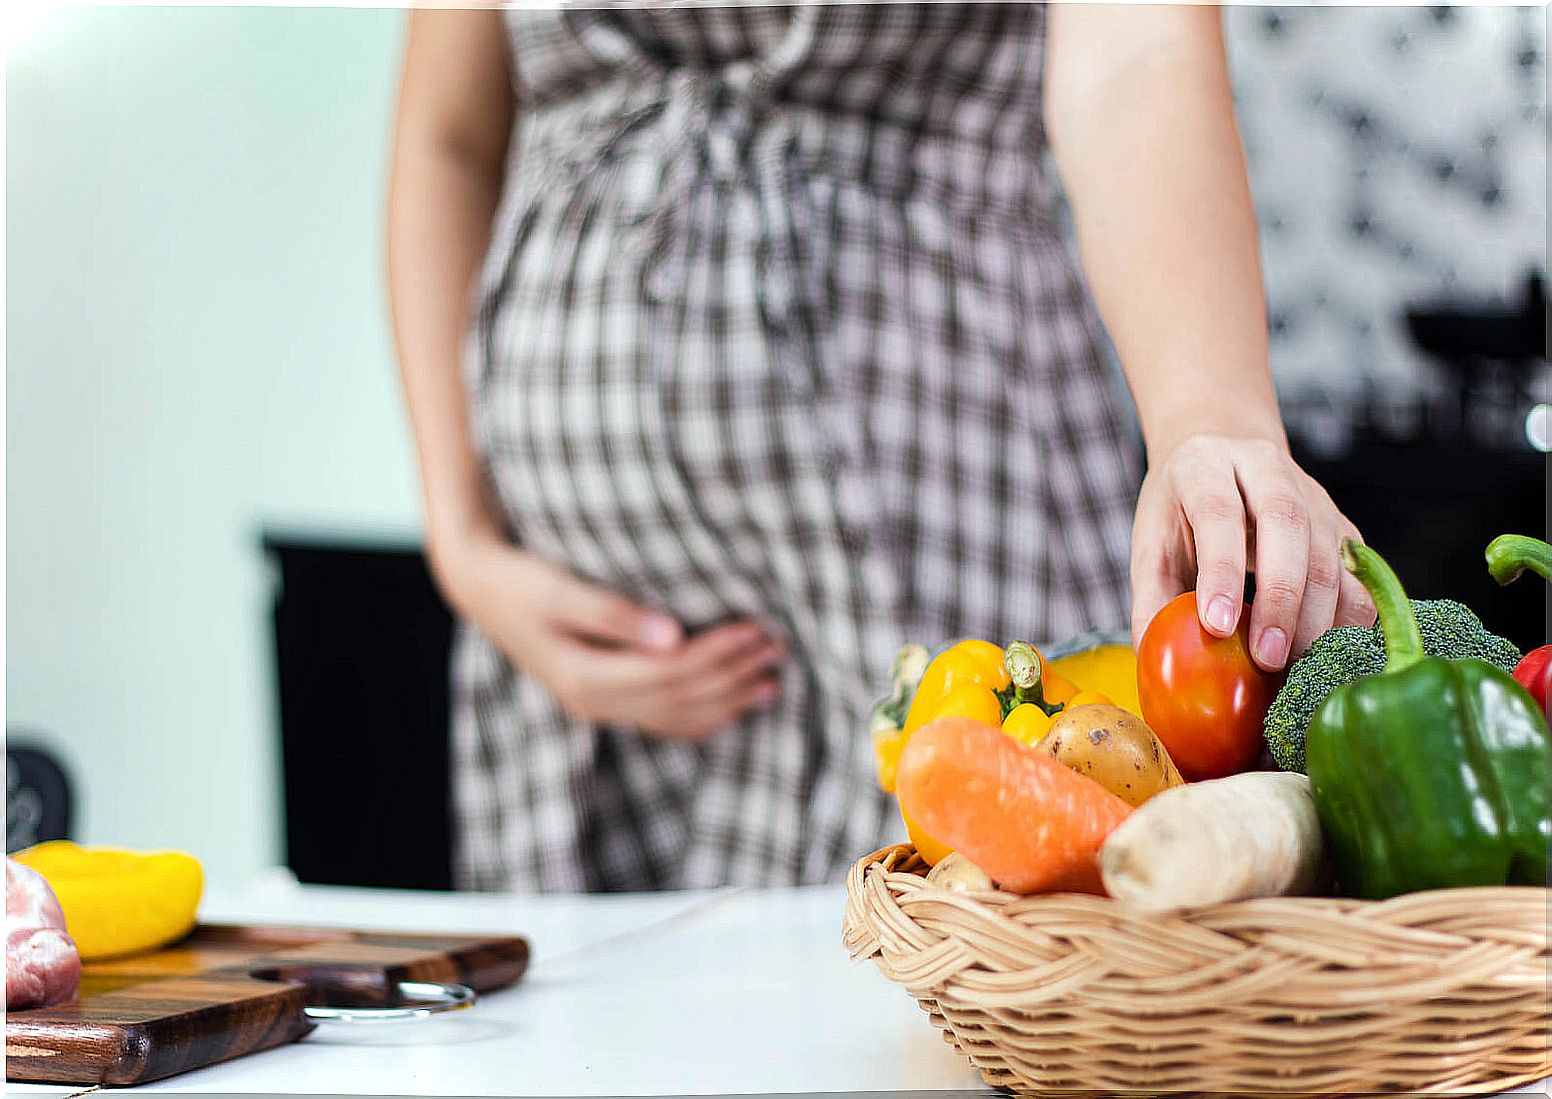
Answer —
(1204, 696)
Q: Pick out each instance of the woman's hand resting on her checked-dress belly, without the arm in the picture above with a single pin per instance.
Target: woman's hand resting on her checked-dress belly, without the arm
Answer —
(605, 659)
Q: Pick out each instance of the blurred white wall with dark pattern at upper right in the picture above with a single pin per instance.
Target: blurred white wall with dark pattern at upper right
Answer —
(1398, 158)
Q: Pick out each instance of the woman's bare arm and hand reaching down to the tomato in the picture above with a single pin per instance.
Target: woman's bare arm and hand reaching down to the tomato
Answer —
(1141, 122)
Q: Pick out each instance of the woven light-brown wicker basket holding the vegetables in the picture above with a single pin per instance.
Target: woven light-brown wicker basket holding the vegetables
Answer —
(1441, 993)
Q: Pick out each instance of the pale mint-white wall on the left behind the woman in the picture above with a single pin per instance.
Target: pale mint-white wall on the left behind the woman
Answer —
(196, 344)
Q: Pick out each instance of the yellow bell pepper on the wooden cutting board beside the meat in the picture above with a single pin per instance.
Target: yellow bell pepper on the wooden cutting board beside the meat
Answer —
(120, 903)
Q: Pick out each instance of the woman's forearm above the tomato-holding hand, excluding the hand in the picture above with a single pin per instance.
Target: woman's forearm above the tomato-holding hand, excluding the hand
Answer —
(1143, 128)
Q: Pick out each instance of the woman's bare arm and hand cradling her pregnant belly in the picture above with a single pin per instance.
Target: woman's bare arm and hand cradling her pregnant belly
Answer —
(603, 657)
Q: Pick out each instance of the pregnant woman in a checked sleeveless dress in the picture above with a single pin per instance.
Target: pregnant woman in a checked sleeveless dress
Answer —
(744, 344)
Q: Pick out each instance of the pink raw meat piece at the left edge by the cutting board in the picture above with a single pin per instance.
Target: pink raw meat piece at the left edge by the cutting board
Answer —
(43, 966)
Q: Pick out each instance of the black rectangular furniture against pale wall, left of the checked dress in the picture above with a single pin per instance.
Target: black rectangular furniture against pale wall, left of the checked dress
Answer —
(362, 643)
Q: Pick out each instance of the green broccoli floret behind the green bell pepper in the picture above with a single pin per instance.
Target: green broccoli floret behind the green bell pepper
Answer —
(1343, 654)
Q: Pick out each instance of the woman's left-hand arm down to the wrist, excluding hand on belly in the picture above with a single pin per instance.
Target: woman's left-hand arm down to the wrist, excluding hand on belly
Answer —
(446, 182)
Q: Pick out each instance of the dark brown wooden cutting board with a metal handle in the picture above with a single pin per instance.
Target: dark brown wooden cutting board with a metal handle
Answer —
(227, 991)
